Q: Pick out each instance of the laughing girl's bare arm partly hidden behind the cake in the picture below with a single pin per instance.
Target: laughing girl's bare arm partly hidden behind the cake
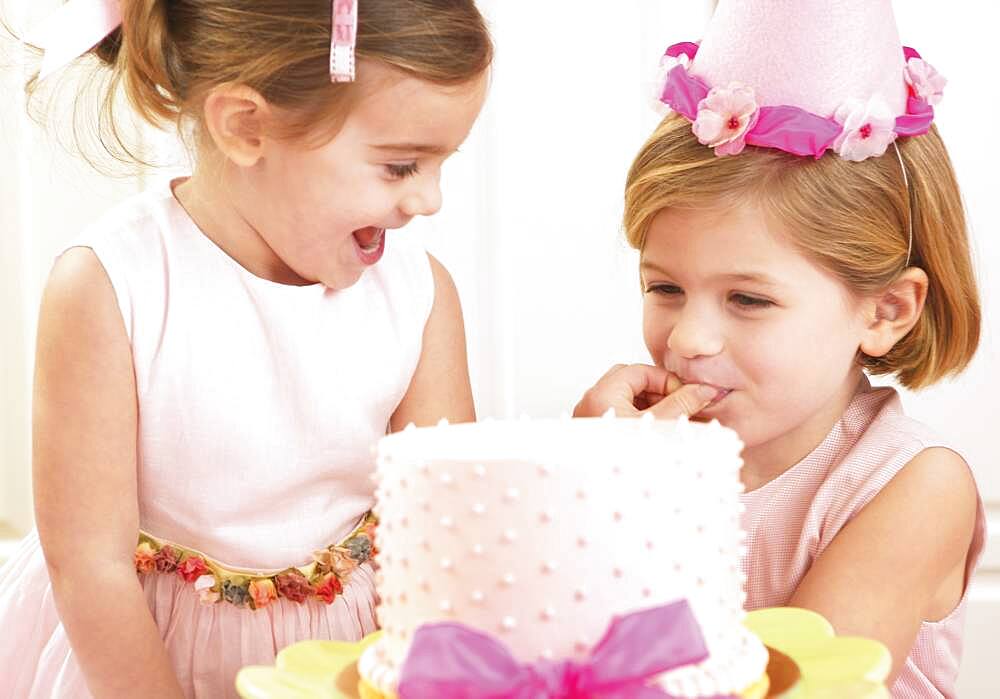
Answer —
(440, 386)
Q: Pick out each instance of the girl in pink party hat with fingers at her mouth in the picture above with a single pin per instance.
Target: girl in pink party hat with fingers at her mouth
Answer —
(800, 227)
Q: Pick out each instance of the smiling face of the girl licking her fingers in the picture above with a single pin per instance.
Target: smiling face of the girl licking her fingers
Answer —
(729, 302)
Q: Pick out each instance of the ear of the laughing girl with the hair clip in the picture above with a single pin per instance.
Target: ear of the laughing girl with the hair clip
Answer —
(235, 116)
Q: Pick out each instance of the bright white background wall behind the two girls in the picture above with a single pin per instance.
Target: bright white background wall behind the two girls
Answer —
(530, 226)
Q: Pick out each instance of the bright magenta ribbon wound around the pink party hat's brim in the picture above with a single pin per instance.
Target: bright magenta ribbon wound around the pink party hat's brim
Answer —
(784, 127)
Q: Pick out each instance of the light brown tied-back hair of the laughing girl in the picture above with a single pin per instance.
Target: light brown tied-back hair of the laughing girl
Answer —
(168, 54)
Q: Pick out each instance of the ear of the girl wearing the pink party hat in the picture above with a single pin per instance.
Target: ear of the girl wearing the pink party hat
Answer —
(893, 312)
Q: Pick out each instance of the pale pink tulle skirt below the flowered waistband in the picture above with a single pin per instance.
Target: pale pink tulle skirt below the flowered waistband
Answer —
(208, 644)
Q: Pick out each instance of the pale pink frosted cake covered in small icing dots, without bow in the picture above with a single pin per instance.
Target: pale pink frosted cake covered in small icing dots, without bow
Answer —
(536, 535)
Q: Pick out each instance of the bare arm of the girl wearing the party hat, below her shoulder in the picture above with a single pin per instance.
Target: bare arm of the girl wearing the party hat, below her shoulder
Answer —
(901, 560)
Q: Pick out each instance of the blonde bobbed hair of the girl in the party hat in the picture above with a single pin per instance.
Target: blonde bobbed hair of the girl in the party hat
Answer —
(851, 219)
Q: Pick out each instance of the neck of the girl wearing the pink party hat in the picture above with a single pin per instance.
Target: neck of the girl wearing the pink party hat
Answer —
(763, 463)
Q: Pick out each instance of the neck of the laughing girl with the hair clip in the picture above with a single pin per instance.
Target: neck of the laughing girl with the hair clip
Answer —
(212, 200)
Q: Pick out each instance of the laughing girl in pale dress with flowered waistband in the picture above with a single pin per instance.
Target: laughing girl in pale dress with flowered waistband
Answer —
(217, 356)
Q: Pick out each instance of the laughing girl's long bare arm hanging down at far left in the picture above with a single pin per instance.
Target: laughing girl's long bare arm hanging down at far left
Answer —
(84, 446)
